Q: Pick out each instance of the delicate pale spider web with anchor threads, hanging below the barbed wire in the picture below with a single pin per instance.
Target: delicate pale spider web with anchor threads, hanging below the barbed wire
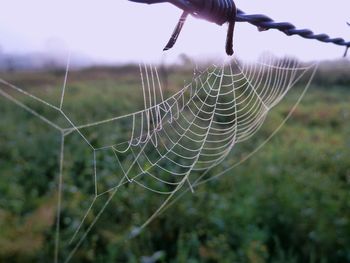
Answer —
(187, 133)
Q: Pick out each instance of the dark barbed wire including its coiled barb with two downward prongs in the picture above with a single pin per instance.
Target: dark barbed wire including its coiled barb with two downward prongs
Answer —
(224, 11)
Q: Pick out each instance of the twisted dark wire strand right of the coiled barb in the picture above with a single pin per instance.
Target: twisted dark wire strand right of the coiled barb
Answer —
(264, 22)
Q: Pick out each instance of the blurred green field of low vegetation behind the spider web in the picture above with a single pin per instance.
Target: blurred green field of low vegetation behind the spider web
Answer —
(290, 202)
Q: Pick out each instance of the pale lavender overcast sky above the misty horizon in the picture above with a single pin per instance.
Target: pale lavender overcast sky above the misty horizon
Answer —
(121, 31)
